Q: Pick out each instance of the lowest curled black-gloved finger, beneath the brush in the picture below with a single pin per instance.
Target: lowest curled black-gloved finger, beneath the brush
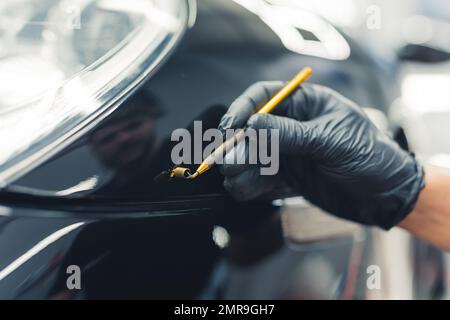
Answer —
(249, 184)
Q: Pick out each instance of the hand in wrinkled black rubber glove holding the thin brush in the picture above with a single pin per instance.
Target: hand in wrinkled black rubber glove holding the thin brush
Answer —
(330, 153)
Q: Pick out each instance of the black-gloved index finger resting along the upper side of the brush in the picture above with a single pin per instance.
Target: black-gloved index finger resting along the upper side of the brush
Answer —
(248, 103)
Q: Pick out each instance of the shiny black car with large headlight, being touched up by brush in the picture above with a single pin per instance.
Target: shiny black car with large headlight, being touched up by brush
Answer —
(91, 93)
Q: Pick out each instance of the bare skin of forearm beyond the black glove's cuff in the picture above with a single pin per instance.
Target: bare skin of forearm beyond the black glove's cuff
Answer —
(430, 219)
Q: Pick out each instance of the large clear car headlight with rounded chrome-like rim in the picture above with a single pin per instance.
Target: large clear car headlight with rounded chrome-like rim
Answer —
(65, 65)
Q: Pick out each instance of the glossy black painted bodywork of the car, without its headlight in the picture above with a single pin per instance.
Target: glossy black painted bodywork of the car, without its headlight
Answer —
(146, 240)
